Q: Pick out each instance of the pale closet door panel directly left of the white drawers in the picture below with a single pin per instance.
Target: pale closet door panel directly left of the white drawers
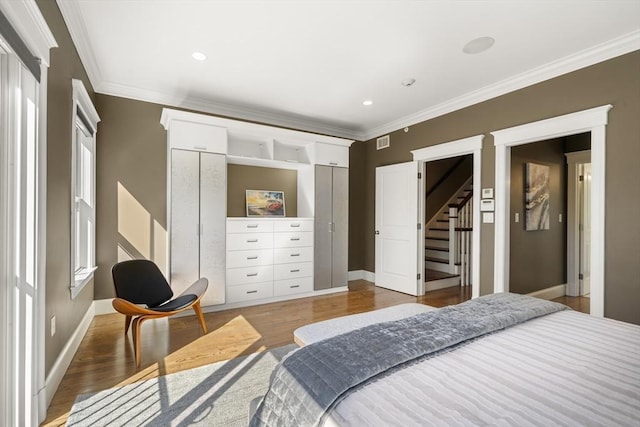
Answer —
(213, 219)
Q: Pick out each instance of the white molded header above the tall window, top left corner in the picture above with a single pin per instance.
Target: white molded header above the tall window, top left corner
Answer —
(27, 20)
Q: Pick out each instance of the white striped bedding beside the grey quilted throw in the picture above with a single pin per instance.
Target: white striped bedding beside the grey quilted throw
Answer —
(566, 369)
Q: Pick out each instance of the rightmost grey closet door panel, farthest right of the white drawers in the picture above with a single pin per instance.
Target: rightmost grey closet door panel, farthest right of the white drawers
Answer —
(340, 235)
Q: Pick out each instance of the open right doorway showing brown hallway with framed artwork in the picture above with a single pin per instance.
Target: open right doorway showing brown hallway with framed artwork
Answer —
(549, 238)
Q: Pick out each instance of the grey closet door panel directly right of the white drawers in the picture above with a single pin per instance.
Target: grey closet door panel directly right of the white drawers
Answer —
(322, 238)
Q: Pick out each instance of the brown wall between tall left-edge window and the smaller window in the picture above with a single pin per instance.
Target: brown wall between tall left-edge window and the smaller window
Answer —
(65, 65)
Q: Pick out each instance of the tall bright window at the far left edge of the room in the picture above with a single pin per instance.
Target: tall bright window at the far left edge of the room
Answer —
(20, 152)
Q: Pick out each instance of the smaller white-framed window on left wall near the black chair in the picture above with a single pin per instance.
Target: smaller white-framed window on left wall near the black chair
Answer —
(83, 247)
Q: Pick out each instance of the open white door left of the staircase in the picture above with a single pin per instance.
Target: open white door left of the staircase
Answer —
(397, 250)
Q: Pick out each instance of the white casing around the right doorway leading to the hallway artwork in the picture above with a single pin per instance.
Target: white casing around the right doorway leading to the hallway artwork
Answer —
(594, 121)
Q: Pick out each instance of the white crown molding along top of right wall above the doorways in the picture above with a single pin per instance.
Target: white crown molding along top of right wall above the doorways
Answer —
(611, 49)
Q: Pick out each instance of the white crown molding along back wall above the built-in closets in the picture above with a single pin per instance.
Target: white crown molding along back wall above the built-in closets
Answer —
(225, 110)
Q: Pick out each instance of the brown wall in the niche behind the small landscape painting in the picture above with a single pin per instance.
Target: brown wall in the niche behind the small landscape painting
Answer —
(241, 178)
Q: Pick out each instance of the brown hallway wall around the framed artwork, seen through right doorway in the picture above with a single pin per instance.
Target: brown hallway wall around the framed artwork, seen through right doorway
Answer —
(538, 259)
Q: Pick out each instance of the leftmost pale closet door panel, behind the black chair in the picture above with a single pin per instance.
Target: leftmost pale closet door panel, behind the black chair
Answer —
(185, 239)
